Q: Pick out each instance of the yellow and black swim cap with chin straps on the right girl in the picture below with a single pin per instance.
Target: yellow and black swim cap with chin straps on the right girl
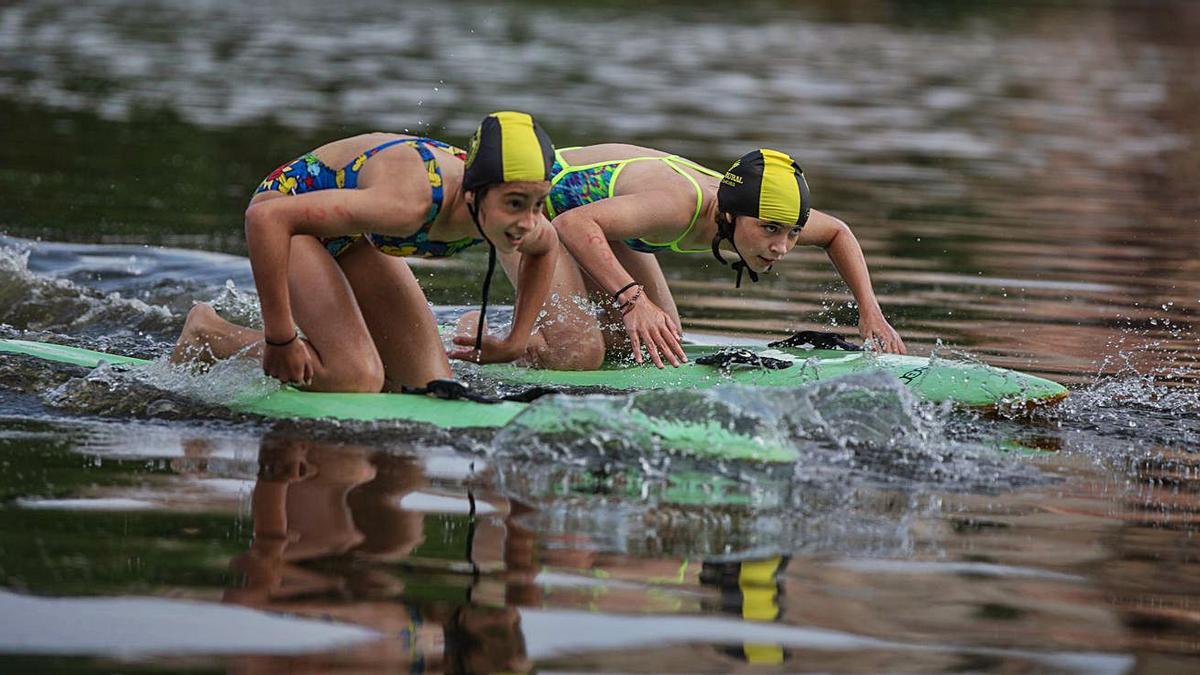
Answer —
(764, 184)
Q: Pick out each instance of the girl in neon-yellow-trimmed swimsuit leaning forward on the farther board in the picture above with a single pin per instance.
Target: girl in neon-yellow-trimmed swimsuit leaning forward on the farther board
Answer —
(615, 206)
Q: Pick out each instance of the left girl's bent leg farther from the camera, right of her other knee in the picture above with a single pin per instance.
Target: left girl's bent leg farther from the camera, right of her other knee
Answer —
(398, 315)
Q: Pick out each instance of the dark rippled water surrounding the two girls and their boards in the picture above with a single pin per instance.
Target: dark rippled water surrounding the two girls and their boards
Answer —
(1023, 178)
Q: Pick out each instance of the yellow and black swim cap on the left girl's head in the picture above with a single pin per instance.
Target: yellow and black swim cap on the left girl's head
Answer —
(508, 147)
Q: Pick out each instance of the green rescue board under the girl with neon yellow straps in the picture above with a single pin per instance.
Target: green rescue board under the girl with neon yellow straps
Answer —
(933, 380)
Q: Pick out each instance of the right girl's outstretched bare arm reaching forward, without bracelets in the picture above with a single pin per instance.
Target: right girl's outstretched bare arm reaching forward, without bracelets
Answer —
(847, 255)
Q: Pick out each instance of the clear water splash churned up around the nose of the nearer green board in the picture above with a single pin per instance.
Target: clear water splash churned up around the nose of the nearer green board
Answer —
(867, 426)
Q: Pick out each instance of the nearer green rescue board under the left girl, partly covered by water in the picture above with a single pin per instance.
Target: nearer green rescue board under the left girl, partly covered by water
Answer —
(700, 439)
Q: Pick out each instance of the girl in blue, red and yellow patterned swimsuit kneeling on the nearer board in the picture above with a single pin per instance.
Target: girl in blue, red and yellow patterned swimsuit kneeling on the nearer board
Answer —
(328, 259)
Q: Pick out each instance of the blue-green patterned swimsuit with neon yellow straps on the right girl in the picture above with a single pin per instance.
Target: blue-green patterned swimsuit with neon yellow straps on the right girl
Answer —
(573, 187)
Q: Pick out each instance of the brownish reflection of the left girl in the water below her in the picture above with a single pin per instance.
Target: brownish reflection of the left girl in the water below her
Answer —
(320, 501)
